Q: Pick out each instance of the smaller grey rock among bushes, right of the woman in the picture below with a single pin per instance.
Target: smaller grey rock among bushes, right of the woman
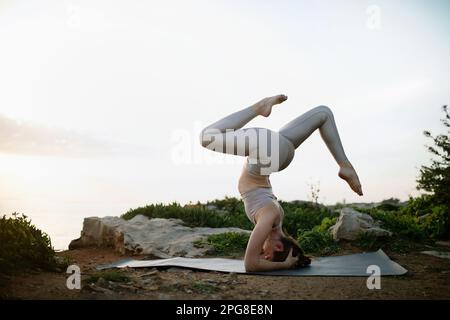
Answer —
(351, 224)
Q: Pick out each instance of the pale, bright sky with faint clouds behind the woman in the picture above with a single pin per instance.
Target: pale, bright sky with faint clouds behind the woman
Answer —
(101, 102)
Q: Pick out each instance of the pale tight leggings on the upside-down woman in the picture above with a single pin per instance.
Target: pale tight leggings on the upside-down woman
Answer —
(268, 151)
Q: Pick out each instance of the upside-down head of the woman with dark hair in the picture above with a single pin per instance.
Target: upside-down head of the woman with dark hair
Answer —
(277, 248)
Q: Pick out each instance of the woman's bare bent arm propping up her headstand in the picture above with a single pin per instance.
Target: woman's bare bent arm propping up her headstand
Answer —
(253, 260)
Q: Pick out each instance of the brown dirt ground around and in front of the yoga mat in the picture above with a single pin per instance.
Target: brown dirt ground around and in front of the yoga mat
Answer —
(428, 278)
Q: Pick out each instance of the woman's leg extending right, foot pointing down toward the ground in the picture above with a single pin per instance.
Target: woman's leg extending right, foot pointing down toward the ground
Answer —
(299, 129)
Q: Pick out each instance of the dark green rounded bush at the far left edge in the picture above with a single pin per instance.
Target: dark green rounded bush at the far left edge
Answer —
(23, 246)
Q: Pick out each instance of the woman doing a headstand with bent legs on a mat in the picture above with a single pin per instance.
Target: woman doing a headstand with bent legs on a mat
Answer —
(267, 151)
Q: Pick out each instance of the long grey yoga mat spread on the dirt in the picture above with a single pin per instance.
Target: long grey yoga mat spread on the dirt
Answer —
(347, 265)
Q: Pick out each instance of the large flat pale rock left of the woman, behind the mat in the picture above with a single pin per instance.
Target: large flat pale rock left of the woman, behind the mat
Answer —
(161, 238)
